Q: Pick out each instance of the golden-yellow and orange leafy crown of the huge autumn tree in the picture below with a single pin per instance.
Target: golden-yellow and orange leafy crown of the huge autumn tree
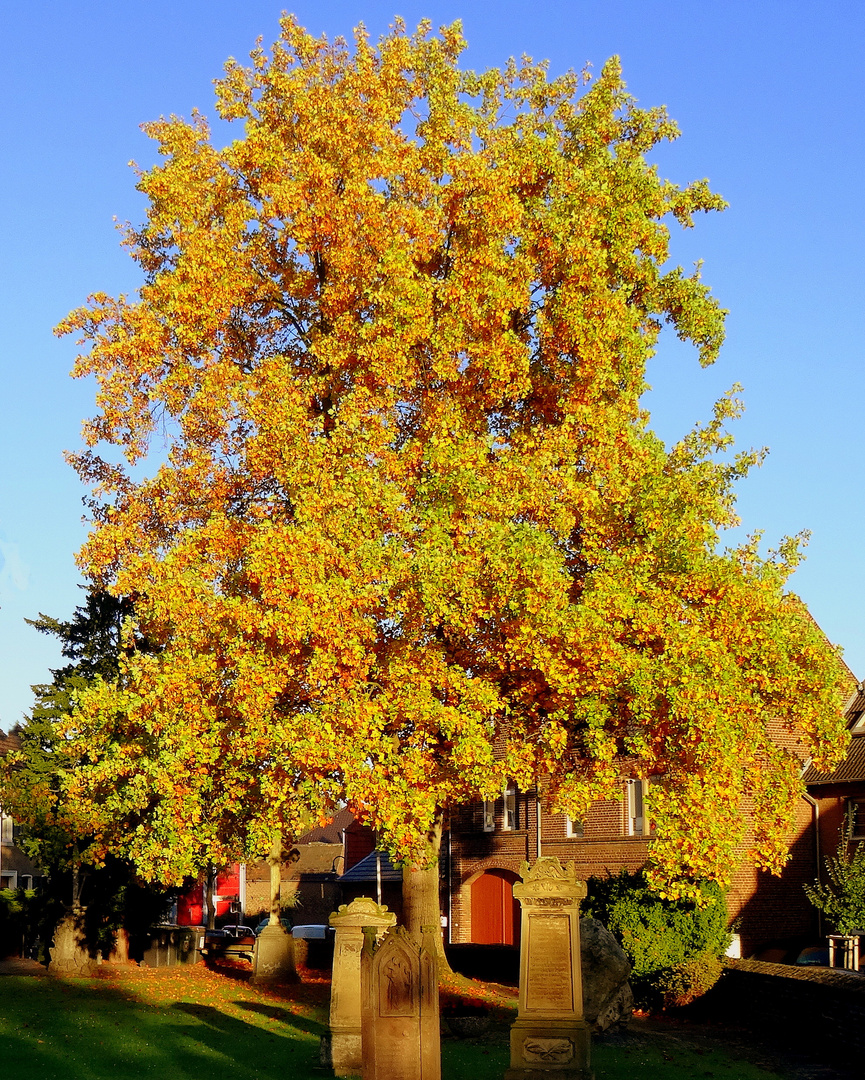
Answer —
(388, 502)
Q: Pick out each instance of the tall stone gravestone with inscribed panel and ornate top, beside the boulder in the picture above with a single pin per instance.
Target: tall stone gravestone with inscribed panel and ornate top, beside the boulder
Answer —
(550, 1034)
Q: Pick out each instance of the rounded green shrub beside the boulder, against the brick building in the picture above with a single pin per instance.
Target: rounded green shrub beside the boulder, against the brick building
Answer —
(669, 943)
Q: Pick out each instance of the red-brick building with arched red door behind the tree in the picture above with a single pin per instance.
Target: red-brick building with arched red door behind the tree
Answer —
(489, 842)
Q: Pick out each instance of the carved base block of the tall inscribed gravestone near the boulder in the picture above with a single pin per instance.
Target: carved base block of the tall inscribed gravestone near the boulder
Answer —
(550, 1049)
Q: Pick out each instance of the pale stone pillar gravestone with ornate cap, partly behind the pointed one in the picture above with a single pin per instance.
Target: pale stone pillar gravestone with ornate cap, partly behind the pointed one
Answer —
(344, 1052)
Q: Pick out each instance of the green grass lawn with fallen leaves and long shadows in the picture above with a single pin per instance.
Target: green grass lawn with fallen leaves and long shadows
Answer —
(185, 1024)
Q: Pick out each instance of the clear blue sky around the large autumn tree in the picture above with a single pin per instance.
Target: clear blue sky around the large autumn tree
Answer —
(769, 96)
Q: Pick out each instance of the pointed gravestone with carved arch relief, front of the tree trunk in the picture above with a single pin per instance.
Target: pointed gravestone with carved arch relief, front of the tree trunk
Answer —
(401, 1036)
